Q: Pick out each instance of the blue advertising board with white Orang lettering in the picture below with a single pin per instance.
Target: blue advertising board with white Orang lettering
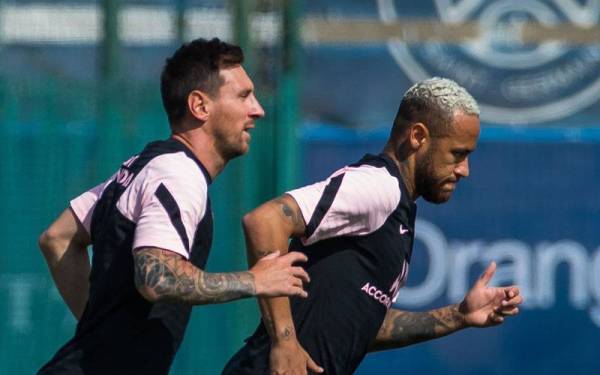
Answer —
(531, 206)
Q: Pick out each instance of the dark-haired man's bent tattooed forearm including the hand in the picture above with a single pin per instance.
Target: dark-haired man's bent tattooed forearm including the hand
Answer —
(162, 275)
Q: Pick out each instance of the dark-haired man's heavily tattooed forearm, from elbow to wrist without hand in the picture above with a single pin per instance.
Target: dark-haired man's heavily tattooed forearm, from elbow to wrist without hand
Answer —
(172, 278)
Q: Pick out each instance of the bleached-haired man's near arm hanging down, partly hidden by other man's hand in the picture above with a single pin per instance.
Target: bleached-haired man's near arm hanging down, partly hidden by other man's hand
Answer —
(269, 228)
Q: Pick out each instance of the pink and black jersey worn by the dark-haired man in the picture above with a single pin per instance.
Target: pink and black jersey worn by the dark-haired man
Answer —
(158, 198)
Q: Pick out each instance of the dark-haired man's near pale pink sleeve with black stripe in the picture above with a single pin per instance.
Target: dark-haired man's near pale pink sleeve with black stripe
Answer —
(173, 201)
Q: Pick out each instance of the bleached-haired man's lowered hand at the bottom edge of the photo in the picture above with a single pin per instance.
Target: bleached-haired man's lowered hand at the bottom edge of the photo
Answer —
(289, 358)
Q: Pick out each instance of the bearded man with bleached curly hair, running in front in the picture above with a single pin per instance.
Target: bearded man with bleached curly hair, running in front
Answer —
(357, 229)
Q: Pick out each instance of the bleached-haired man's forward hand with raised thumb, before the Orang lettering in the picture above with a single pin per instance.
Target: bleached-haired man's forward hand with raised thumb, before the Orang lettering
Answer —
(485, 306)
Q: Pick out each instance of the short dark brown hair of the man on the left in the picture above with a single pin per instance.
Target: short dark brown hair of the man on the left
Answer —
(195, 66)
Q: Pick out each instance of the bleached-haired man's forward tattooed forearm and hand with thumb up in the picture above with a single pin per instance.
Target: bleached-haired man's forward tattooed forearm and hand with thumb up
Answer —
(483, 306)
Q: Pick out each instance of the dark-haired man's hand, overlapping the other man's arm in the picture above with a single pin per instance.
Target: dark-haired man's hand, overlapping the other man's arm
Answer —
(275, 276)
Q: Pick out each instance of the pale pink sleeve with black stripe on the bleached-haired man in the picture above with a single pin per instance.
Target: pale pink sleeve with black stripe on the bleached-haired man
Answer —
(352, 201)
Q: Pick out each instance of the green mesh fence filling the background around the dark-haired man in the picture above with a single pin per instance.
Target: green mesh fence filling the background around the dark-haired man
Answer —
(72, 109)
